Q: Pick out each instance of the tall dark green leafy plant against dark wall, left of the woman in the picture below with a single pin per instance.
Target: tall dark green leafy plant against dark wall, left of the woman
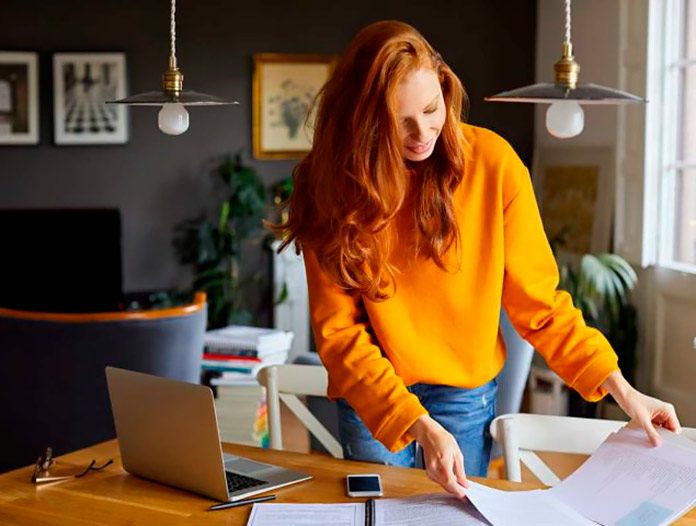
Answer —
(214, 248)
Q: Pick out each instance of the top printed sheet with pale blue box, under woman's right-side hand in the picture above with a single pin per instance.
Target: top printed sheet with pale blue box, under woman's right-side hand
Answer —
(628, 482)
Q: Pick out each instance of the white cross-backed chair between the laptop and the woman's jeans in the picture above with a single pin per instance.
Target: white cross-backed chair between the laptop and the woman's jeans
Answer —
(286, 382)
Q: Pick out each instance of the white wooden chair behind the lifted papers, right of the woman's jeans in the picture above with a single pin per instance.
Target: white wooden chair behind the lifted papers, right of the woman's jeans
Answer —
(521, 434)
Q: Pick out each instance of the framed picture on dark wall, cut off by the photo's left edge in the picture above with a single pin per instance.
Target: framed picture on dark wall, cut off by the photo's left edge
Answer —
(19, 98)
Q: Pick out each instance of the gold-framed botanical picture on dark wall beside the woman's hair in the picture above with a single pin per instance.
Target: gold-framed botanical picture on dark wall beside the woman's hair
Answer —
(284, 89)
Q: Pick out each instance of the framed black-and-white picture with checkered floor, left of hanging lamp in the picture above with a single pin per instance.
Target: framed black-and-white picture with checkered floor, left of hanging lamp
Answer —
(82, 83)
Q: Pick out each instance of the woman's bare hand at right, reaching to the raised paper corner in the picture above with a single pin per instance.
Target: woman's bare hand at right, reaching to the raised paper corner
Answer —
(645, 410)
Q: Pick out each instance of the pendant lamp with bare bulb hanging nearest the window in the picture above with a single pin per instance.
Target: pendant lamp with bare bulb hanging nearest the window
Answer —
(564, 117)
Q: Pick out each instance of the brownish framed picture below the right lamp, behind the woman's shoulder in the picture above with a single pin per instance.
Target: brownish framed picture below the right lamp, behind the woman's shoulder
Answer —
(576, 196)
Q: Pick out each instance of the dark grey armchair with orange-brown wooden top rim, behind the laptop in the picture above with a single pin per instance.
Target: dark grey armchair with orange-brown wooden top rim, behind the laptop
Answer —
(52, 383)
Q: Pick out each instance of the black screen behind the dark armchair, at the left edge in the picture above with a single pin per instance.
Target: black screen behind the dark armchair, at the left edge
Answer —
(61, 260)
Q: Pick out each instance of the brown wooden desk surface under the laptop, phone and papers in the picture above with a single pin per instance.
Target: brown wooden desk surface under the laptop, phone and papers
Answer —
(113, 497)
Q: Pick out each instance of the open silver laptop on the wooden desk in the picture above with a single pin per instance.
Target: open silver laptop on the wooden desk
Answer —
(168, 432)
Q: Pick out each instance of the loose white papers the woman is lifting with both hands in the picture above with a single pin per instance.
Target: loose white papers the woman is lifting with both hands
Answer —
(626, 482)
